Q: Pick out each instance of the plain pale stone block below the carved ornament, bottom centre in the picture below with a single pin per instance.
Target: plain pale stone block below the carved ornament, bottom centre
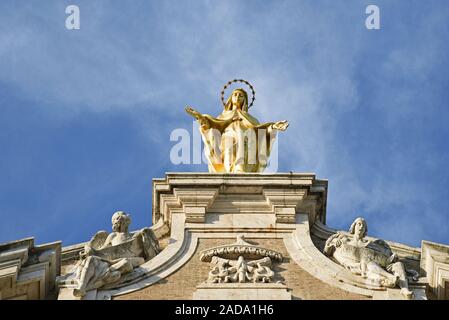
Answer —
(242, 291)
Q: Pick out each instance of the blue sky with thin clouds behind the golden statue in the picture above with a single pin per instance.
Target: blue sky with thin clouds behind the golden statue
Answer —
(86, 115)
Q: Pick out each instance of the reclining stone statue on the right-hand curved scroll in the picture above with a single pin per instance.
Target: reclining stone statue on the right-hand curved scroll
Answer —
(373, 260)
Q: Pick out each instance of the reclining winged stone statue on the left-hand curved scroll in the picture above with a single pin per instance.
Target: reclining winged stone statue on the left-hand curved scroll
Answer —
(107, 257)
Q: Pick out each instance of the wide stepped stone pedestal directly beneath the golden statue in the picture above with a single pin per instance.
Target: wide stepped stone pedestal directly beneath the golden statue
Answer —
(249, 200)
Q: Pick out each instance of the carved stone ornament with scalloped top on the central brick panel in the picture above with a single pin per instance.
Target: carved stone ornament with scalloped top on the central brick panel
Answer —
(240, 262)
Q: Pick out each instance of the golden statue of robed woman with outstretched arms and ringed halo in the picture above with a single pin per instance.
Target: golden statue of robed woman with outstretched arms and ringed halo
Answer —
(235, 141)
